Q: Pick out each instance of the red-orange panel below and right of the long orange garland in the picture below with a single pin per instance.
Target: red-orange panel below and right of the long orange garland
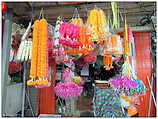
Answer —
(47, 99)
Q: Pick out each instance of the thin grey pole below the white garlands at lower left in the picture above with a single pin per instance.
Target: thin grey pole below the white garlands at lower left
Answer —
(24, 86)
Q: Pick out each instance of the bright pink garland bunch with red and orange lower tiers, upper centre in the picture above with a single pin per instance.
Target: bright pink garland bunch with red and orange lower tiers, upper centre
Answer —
(70, 39)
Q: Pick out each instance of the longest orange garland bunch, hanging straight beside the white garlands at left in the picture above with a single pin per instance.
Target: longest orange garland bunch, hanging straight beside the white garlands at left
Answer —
(39, 61)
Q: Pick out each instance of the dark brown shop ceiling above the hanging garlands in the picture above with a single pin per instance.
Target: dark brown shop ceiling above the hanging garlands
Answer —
(134, 11)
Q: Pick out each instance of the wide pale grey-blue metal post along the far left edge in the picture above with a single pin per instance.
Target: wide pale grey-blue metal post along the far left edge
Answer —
(5, 56)
